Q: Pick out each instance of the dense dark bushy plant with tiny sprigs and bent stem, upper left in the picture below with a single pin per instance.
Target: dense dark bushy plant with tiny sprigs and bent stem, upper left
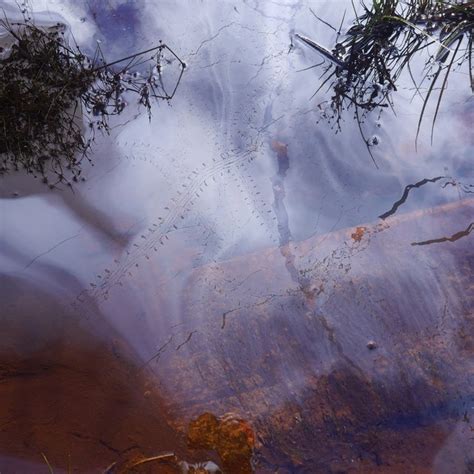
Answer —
(46, 86)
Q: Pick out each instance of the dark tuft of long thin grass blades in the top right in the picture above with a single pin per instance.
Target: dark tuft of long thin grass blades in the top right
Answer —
(365, 65)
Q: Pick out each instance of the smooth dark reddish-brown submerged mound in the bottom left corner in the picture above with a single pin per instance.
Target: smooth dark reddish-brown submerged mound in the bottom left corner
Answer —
(70, 390)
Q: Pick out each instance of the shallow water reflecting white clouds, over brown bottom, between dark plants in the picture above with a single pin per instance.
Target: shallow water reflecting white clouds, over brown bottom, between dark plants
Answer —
(228, 257)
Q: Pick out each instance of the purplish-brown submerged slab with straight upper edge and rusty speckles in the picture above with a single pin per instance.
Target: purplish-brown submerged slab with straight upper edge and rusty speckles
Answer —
(299, 368)
